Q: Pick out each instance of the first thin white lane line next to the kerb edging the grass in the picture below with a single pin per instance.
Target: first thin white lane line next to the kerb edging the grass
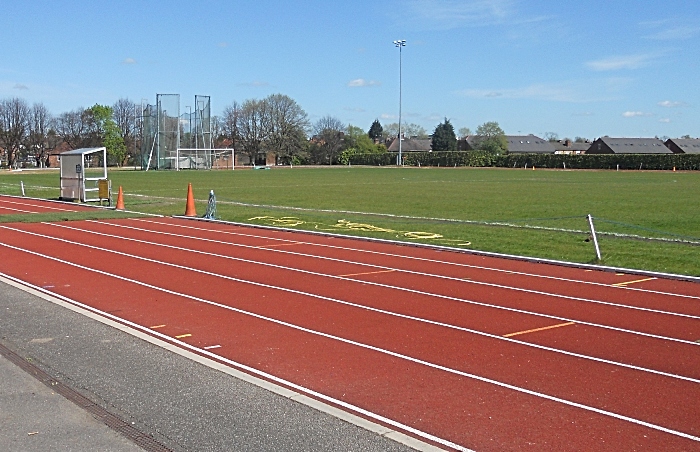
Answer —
(422, 259)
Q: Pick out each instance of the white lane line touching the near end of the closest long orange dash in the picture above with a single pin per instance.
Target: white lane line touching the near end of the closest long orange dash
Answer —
(395, 314)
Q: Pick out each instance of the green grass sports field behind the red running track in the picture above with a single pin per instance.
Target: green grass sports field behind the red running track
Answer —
(538, 213)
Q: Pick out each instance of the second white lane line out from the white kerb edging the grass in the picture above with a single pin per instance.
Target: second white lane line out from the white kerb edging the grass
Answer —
(412, 272)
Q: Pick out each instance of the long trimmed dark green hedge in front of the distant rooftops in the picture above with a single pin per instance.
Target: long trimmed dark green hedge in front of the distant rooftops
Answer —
(581, 161)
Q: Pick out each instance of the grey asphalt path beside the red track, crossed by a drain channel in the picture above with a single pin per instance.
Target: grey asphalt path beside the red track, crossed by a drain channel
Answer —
(180, 403)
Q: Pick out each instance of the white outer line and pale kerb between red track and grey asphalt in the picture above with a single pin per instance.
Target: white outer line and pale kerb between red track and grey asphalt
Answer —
(263, 380)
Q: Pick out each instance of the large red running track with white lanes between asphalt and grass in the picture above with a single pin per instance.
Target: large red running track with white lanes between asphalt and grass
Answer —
(473, 352)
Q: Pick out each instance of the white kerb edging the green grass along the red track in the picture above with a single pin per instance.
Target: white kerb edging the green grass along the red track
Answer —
(460, 250)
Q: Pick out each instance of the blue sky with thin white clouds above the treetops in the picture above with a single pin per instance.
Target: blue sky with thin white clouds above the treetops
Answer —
(578, 69)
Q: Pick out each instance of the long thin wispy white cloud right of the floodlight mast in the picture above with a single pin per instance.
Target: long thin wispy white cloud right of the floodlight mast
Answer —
(567, 91)
